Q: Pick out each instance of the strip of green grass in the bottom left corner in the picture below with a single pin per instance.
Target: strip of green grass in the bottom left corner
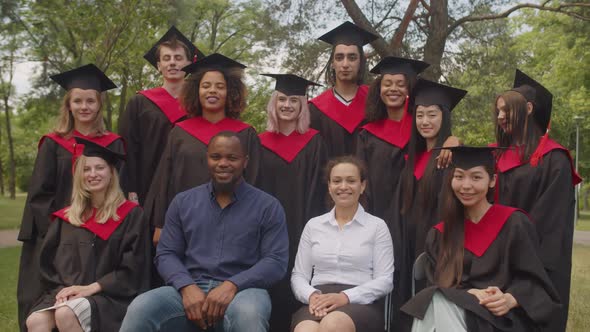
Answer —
(8, 274)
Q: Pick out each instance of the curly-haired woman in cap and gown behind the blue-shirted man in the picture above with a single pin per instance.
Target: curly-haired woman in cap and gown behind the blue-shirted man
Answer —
(213, 96)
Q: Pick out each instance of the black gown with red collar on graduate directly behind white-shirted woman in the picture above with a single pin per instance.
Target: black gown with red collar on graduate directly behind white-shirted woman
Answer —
(339, 141)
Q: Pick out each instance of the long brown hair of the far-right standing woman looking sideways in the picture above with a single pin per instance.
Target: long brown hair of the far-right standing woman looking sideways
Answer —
(523, 131)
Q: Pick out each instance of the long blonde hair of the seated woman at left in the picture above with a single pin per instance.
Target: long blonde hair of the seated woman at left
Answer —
(81, 208)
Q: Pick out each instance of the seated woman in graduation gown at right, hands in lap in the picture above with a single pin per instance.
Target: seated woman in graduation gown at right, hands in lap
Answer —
(481, 261)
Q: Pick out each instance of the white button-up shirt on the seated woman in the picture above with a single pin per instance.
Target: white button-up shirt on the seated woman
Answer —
(360, 254)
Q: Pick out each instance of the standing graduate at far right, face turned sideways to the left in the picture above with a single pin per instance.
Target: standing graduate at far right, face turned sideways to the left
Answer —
(537, 175)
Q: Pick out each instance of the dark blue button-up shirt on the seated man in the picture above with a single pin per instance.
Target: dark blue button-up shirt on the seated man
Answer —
(246, 242)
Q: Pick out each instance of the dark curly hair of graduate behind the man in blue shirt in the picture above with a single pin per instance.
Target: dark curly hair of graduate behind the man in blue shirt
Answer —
(235, 101)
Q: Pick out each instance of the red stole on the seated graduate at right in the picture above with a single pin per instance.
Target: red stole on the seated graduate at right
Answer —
(479, 237)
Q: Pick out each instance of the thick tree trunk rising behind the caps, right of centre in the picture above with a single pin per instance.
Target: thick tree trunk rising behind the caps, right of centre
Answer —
(437, 38)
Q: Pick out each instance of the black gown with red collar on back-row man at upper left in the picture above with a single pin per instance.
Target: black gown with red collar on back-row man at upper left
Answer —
(145, 126)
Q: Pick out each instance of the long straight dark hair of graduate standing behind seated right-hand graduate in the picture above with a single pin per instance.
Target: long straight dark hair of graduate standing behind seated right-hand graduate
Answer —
(426, 194)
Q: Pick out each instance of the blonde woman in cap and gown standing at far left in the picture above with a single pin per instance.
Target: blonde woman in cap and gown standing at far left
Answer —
(50, 186)
